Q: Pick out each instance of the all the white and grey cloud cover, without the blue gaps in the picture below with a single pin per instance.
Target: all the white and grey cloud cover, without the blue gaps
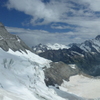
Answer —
(80, 13)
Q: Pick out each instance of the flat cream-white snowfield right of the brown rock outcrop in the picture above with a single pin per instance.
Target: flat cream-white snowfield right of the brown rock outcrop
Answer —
(83, 86)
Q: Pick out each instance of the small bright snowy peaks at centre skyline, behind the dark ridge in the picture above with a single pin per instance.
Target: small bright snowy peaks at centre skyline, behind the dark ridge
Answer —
(42, 48)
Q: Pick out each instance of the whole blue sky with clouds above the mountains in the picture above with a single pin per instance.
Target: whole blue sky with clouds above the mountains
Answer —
(51, 21)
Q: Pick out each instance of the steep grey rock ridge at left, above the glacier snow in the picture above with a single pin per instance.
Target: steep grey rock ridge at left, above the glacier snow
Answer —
(11, 41)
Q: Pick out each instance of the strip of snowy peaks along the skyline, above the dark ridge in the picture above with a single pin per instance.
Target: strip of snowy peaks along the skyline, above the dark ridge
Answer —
(88, 46)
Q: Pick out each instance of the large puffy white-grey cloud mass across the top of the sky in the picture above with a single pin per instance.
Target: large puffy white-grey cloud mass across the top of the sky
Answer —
(75, 12)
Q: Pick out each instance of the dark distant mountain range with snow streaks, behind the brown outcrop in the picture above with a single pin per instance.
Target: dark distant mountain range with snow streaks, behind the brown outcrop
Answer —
(85, 55)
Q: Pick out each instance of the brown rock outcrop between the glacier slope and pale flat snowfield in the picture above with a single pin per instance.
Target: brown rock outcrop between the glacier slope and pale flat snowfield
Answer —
(58, 72)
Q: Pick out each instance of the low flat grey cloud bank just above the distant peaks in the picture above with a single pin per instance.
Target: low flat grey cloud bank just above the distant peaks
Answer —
(34, 37)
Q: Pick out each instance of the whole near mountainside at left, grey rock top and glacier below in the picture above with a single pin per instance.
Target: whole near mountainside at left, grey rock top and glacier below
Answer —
(22, 72)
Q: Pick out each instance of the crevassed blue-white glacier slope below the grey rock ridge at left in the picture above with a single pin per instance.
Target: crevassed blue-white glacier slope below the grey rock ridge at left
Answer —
(22, 77)
